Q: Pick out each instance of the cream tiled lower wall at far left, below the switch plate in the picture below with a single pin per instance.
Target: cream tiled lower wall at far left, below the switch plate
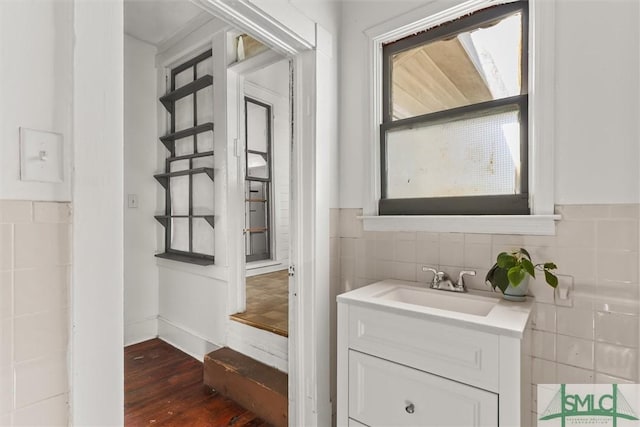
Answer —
(35, 259)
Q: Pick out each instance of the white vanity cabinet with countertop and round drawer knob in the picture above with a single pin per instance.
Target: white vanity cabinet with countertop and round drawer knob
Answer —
(402, 364)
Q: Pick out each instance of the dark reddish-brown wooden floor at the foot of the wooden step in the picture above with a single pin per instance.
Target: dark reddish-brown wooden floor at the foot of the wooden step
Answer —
(164, 387)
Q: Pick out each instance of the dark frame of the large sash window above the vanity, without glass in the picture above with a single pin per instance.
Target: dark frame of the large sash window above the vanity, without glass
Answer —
(517, 204)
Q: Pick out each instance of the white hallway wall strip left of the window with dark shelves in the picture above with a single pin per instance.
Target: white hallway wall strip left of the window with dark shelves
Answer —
(140, 228)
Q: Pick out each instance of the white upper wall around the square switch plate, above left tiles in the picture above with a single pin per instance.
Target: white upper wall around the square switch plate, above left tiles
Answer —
(36, 81)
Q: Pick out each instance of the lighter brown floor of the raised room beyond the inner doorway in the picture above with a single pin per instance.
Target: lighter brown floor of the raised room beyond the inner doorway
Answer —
(267, 303)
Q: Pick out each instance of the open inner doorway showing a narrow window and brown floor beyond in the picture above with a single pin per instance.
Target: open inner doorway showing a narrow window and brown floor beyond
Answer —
(265, 98)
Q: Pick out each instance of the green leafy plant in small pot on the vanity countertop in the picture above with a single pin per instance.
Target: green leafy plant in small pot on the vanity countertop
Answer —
(511, 274)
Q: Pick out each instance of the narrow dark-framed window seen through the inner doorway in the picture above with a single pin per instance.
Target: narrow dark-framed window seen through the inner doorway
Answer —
(257, 180)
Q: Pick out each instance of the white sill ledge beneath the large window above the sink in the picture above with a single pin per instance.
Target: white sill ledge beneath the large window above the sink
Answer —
(538, 225)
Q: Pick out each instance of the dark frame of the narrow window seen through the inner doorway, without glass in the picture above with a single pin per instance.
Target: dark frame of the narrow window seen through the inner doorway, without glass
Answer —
(266, 181)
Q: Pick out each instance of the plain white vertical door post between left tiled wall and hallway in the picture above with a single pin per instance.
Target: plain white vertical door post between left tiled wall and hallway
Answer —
(97, 288)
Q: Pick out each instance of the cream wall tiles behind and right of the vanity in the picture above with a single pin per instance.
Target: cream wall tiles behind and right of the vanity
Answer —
(595, 339)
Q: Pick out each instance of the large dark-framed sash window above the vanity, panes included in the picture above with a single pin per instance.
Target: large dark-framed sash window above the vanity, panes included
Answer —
(455, 105)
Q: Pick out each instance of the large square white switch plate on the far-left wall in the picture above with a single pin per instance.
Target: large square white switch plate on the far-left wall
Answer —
(41, 156)
